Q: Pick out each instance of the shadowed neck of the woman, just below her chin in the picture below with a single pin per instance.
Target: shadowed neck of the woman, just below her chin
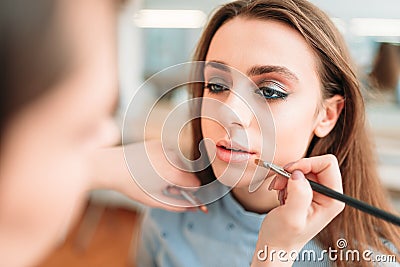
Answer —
(260, 201)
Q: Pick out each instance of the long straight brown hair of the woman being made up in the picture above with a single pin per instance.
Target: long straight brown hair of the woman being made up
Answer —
(348, 141)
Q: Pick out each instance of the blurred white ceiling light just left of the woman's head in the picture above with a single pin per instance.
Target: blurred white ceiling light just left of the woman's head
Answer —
(160, 18)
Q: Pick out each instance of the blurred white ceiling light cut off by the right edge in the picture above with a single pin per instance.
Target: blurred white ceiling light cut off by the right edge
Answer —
(375, 27)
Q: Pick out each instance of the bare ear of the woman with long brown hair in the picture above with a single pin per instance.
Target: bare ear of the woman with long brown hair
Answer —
(328, 116)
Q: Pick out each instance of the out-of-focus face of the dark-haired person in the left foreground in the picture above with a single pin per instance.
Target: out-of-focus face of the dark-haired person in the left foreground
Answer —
(44, 153)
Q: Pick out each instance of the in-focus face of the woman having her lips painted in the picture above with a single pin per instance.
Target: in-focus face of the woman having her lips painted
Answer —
(274, 120)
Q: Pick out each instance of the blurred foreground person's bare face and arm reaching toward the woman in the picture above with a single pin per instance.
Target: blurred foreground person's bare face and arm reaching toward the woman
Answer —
(50, 156)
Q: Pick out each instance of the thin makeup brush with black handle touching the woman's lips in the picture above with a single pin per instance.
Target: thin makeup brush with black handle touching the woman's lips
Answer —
(355, 203)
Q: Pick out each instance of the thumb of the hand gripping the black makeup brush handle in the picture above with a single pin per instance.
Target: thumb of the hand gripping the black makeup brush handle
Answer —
(299, 196)
